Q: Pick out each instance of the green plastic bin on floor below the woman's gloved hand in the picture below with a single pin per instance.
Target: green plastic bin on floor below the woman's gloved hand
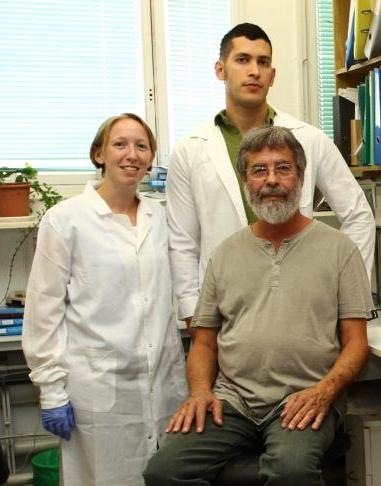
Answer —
(46, 468)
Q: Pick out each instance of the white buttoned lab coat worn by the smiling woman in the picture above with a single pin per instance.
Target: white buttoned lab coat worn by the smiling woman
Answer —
(99, 330)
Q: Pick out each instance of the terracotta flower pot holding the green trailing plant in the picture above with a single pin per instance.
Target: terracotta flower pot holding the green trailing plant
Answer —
(14, 199)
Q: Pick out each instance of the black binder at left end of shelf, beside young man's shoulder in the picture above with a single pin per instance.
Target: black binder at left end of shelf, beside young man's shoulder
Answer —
(343, 113)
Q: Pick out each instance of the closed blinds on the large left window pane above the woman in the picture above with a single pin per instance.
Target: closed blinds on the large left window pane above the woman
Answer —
(64, 68)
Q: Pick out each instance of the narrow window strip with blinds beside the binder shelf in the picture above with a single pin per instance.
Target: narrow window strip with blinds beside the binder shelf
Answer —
(326, 60)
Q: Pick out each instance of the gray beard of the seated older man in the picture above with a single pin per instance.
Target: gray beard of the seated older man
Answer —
(275, 212)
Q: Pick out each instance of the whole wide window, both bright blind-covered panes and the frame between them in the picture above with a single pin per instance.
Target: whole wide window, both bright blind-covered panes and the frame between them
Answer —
(66, 66)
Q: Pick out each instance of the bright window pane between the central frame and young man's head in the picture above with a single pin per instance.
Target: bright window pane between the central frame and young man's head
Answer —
(194, 93)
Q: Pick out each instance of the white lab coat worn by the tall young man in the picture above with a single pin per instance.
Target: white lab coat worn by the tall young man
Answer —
(205, 205)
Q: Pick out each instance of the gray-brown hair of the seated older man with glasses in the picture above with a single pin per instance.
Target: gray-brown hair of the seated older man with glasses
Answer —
(271, 137)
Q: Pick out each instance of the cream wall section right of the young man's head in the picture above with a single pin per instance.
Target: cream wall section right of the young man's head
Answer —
(290, 25)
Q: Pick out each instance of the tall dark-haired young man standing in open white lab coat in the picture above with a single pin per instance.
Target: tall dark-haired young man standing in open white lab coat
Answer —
(206, 203)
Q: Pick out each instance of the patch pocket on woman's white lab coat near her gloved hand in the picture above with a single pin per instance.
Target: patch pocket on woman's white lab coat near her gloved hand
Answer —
(91, 383)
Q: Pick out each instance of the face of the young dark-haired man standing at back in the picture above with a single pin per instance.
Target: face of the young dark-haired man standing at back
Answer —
(247, 72)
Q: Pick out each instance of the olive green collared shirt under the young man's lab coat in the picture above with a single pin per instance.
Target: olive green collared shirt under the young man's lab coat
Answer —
(233, 140)
